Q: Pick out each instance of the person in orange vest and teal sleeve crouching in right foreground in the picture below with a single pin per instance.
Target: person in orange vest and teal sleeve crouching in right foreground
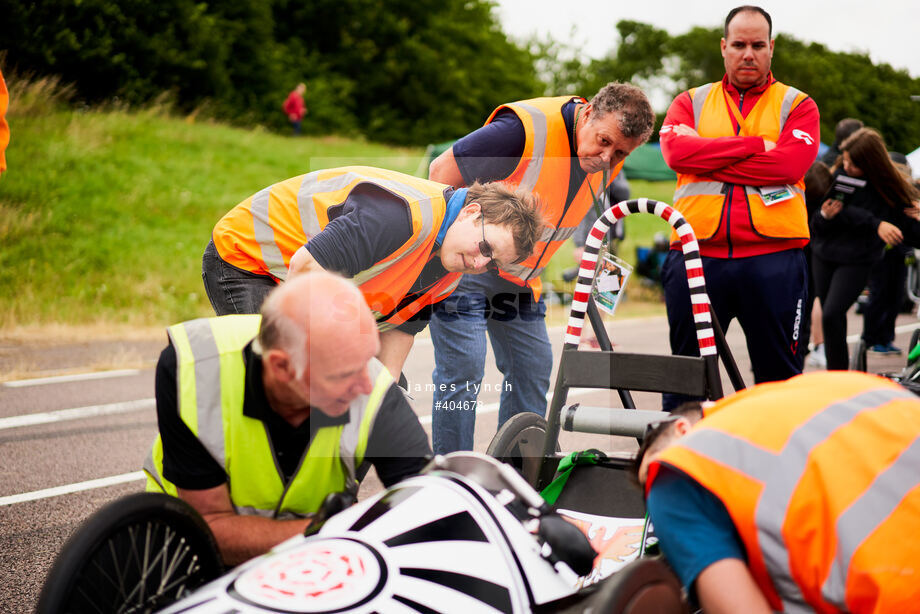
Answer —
(791, 496)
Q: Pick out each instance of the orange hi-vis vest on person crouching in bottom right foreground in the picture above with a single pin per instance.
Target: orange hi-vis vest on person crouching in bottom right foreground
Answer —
(821, 477)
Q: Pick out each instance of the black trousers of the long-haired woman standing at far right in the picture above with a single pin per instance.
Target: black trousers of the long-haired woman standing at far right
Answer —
(837, 286)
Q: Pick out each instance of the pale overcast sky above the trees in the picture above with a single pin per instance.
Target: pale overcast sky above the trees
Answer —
(887, 29)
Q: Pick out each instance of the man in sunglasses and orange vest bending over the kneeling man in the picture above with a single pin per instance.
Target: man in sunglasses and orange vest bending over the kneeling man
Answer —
(404, 241)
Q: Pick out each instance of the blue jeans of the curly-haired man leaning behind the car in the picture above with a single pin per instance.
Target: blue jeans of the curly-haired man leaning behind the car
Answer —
(516, 326)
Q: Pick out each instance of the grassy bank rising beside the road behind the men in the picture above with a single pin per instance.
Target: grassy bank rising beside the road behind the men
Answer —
(104, 213)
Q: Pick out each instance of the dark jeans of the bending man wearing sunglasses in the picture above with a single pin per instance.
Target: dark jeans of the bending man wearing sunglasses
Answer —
(231, 289)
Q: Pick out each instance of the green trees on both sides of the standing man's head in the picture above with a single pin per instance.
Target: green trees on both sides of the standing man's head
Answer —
(842, 84)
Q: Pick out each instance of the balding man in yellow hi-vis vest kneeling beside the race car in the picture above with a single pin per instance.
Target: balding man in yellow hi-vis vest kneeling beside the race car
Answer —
(262, 416)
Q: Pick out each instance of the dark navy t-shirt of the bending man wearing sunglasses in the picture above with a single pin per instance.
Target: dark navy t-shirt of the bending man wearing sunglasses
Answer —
(370, 225)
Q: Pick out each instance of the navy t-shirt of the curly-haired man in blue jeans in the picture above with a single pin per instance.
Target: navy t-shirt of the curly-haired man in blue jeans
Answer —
(491, 153)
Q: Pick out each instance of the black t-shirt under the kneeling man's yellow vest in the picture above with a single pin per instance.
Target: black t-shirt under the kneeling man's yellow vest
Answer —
(397, 447)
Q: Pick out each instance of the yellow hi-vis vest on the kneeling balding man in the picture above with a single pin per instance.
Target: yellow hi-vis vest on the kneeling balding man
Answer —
(211, 376)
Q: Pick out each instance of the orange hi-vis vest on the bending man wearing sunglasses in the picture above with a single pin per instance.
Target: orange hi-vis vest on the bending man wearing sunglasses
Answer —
(262, 233)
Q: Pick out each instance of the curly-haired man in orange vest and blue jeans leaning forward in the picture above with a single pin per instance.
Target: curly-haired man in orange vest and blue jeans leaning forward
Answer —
(562, 149)
